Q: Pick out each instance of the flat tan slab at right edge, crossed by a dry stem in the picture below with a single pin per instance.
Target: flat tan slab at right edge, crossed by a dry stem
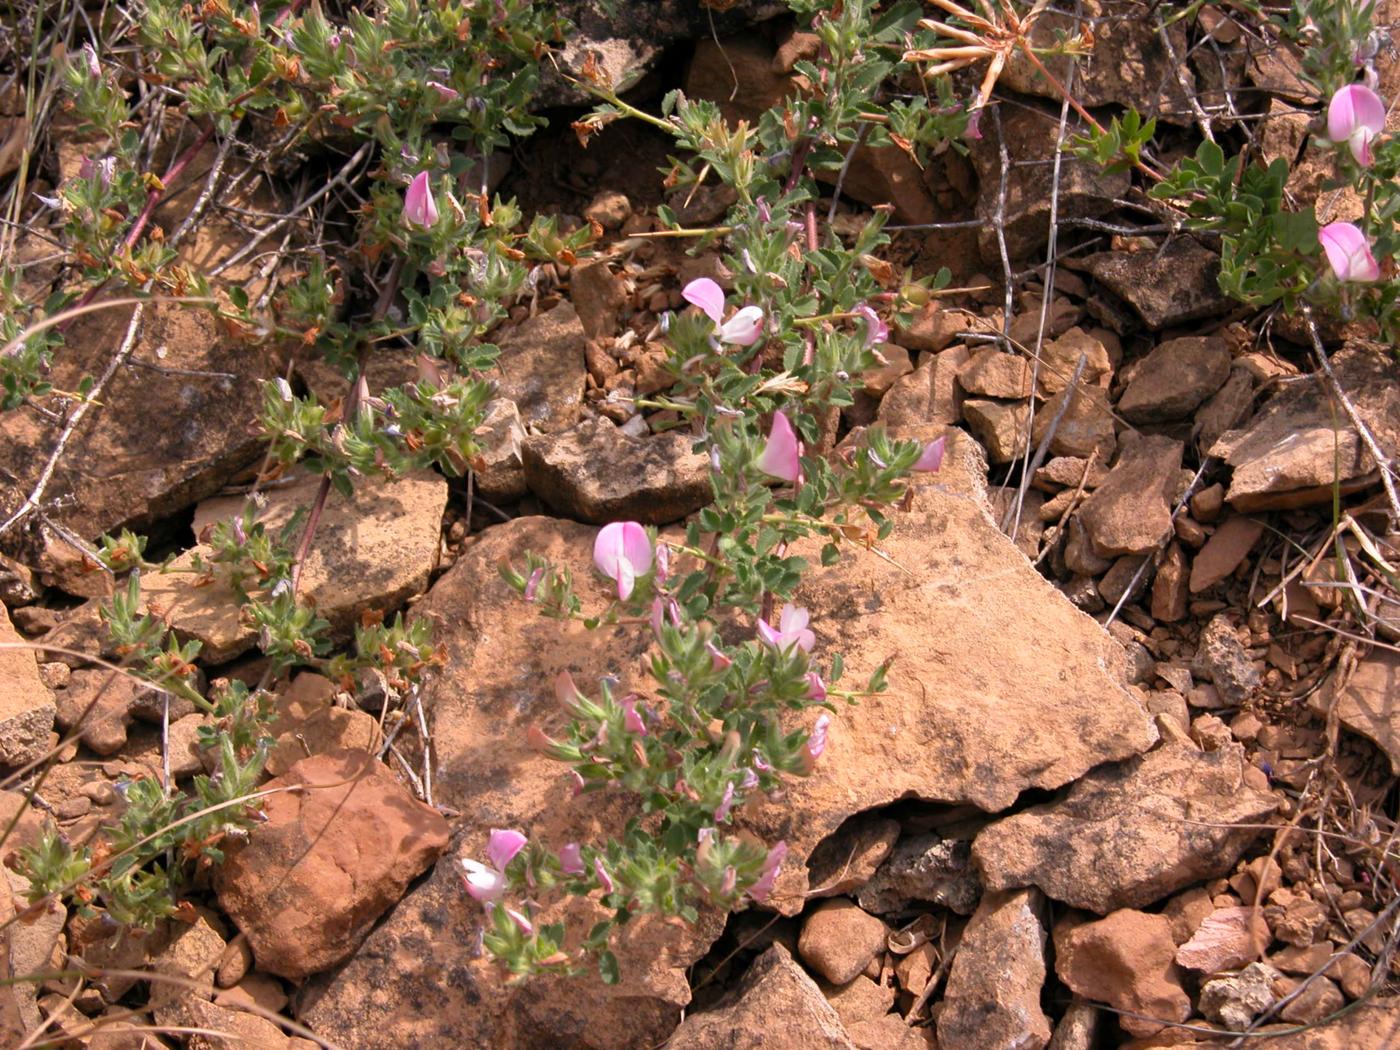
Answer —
(1289, 453)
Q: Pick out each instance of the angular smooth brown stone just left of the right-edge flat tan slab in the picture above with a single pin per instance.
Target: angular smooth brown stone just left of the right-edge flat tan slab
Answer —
(1132, 512)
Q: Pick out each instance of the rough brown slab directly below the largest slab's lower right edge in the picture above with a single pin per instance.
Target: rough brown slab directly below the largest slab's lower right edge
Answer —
(1132, 834)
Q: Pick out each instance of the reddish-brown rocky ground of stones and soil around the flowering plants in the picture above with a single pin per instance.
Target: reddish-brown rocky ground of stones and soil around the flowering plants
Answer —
(1133, 782)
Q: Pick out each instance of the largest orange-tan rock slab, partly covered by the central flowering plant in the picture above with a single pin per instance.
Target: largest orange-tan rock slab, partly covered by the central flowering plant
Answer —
(971, 716)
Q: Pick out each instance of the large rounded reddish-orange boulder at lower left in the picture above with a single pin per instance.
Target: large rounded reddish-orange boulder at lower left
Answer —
(328, 862)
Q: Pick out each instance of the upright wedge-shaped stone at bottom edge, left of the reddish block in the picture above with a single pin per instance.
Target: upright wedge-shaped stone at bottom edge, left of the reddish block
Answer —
(993, 997)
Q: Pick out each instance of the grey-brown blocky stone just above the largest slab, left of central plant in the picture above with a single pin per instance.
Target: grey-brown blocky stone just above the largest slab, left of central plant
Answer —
(600, 474)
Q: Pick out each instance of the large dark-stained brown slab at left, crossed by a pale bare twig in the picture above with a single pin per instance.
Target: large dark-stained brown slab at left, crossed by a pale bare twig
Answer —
(160, 440)
